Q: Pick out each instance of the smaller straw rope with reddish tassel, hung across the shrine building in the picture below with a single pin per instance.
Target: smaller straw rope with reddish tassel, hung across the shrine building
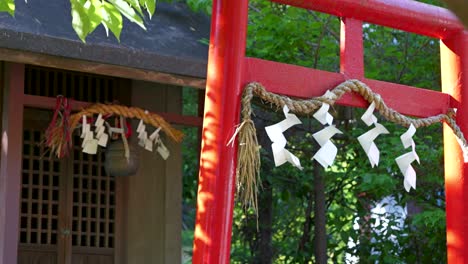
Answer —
(58, 140)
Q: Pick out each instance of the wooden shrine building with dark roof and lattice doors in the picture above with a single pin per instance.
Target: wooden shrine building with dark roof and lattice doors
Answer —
(69, 210)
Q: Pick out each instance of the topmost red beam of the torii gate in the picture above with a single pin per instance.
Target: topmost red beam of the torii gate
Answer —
(411, 16)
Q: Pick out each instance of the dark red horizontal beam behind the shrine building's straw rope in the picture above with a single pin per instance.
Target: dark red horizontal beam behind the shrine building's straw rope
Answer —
(49, 103)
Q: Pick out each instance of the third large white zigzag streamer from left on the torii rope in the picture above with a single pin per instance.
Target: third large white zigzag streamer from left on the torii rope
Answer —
(367, 139)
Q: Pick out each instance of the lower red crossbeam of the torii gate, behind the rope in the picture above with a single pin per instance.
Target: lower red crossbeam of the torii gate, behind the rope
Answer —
(302, 82)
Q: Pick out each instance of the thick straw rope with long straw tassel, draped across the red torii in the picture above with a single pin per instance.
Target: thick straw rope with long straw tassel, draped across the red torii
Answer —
(249, 153)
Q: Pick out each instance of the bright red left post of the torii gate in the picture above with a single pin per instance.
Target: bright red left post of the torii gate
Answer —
(218, 162)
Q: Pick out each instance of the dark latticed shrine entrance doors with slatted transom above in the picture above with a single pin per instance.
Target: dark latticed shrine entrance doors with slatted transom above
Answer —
(70, 208)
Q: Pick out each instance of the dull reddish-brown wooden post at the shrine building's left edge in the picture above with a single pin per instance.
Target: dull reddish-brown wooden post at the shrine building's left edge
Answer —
(10, 170)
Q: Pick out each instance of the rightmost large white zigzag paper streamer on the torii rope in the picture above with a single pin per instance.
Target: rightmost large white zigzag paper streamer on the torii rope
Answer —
(404, 161)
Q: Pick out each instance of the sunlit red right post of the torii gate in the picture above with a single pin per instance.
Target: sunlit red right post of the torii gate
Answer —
(454, 61)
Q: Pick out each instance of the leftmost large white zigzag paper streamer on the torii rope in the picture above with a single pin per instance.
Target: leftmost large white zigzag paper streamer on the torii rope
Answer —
(275, 132)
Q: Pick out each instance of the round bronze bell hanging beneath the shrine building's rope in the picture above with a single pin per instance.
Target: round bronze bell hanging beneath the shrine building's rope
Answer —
(116, 164)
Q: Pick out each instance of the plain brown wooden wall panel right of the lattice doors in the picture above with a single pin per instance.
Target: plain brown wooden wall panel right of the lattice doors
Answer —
(154, 194)
